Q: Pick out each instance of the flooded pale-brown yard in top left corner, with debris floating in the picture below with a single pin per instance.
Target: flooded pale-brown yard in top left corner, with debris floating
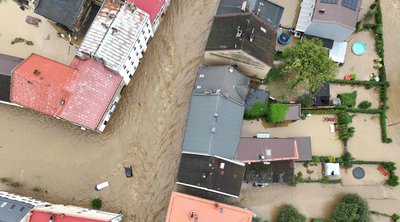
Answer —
(44, 37)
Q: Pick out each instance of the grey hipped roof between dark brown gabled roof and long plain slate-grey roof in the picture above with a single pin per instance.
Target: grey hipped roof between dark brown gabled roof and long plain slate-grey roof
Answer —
(223, 79)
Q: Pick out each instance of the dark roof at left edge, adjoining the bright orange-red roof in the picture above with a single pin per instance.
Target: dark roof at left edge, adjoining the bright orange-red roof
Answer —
(7, 64)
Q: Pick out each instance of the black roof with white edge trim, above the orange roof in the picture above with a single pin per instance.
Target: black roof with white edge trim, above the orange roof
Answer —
(205, 172)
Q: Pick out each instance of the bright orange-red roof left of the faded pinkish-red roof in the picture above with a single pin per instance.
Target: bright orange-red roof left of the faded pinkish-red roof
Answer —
(47, 90)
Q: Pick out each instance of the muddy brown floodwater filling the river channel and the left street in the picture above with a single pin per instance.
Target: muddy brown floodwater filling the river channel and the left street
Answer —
(145, 131)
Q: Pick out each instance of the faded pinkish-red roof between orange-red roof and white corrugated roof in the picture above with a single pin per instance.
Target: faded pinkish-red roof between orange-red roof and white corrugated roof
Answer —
(94, 90)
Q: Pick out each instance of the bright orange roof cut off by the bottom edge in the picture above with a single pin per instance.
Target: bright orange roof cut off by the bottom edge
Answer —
(182, 207)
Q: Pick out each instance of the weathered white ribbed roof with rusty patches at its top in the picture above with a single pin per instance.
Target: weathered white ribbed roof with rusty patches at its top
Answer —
(113, 33)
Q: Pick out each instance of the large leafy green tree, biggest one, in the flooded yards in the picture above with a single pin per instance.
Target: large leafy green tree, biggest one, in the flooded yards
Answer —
(308, 66)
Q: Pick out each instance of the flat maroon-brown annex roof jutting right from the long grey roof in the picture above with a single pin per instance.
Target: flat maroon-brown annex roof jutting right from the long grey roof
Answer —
(272, 149)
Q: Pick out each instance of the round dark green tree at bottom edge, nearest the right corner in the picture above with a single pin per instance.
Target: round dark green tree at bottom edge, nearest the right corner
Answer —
(352, 208)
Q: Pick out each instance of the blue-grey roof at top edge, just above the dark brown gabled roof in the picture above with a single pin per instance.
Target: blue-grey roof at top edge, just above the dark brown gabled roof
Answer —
(269, 12)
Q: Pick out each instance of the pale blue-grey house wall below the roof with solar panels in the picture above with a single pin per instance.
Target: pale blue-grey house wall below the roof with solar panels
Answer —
(329, 30)
